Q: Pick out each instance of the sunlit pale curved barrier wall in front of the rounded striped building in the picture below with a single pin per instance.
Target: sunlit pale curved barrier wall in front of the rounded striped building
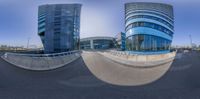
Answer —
(138, 60)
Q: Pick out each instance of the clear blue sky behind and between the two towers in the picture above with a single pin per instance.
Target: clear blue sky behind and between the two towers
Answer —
(18, 19)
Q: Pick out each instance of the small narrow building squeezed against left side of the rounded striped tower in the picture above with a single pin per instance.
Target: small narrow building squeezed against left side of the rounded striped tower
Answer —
(120, 41)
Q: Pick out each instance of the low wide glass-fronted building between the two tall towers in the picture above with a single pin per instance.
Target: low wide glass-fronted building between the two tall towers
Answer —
(97, 43)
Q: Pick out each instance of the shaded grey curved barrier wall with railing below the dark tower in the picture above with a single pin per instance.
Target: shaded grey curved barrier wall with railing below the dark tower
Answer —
(41, 61)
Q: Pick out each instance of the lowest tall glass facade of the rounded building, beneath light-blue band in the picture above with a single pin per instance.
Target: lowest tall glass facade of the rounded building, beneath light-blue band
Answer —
(147, 43)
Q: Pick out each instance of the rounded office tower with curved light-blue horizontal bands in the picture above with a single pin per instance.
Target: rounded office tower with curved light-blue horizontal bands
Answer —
(149, 26)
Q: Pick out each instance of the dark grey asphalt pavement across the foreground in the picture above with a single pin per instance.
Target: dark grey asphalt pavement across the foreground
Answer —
(75, 81)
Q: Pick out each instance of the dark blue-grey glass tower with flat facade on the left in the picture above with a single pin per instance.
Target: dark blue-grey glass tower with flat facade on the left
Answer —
(59, 26)
